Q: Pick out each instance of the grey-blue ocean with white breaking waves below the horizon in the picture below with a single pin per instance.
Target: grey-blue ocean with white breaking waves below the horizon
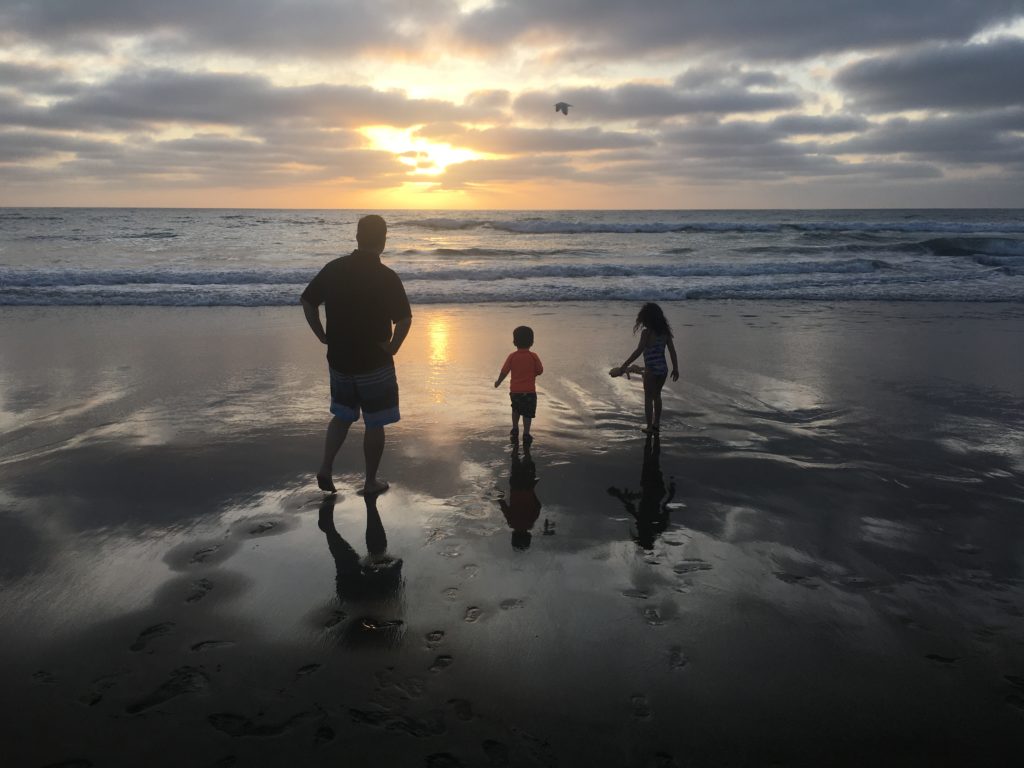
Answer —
(204, 258)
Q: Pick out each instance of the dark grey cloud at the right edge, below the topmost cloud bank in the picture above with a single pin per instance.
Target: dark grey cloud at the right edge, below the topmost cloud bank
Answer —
(948, 77)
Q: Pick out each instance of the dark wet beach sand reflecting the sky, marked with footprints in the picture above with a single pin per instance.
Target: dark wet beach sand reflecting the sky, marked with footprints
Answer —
(821, 563)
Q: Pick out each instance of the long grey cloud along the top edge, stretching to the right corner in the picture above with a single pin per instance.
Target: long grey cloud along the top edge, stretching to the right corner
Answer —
(751, 29)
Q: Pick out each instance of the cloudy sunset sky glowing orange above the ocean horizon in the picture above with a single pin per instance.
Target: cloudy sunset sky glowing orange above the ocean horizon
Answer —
(450, 104)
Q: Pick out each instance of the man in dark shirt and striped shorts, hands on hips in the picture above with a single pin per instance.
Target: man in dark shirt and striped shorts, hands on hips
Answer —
(368, 319)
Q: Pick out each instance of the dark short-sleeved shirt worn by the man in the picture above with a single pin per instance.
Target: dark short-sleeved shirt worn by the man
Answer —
(363, 298)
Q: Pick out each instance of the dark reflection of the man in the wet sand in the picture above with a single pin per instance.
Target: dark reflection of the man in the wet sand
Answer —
(368, 587)
